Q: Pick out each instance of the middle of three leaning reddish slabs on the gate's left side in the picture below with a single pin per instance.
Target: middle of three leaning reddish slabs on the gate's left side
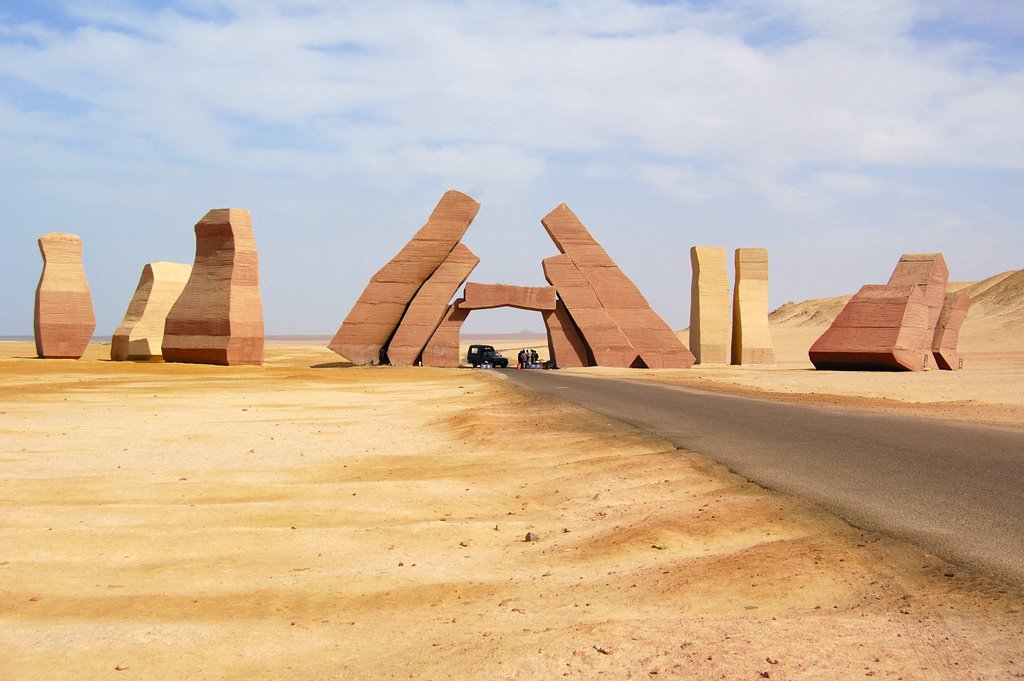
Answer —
(430, 307)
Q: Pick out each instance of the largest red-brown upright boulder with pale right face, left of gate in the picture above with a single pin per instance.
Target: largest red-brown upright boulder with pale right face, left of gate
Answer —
(219, 318)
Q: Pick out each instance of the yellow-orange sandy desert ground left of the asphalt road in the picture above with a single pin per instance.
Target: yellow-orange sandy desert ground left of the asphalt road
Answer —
(310, 521)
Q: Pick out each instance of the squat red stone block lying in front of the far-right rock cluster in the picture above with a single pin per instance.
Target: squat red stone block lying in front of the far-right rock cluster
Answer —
(883, 328)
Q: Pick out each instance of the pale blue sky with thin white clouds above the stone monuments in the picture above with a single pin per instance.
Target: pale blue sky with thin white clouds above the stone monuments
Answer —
(838, 136)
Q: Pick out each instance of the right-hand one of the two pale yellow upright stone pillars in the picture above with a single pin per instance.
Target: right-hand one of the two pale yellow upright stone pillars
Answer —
(752, 344)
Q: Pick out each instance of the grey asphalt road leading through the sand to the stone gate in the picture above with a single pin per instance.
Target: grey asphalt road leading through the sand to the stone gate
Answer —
(957, 490)
